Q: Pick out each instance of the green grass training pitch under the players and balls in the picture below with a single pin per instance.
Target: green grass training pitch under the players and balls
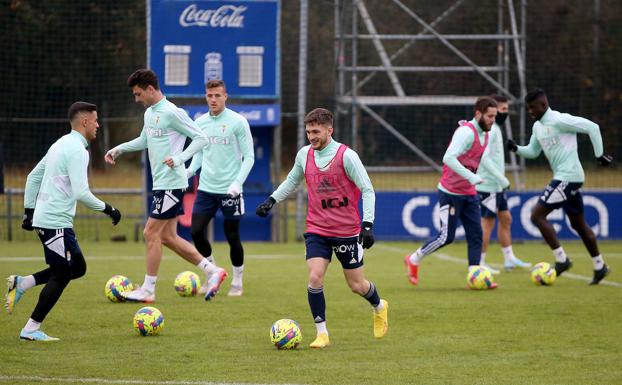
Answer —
(440, 333)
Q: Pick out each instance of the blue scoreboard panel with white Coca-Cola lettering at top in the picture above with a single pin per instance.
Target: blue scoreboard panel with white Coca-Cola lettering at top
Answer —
(191, 42)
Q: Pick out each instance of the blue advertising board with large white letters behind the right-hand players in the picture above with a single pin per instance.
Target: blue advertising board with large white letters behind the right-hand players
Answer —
(401, 215)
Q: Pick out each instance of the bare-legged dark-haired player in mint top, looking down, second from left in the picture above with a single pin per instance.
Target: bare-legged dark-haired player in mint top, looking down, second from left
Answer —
(164, 133)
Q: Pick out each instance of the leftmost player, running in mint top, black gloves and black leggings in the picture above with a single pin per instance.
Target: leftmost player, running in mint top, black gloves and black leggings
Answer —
(52, 189)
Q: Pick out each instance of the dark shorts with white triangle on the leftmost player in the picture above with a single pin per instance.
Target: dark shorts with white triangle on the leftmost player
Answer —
(59, 245)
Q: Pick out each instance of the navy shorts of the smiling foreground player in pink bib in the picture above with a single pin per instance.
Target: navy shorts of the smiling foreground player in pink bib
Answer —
(348, 250)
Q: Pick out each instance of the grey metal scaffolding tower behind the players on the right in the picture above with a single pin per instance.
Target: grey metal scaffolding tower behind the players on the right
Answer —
(354, 24)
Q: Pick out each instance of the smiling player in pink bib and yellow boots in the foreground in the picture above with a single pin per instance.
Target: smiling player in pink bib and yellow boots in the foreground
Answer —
(335, 179)
